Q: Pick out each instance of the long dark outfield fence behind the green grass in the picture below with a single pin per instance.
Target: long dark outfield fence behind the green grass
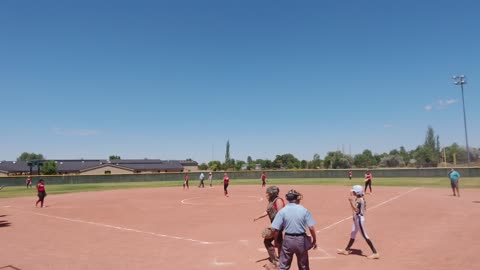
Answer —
(275, 174)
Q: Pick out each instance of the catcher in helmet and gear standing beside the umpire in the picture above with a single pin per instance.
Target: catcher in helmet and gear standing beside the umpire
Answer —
(275, 203)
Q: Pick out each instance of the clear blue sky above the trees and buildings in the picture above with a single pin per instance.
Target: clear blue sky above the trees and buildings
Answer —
(177, 79)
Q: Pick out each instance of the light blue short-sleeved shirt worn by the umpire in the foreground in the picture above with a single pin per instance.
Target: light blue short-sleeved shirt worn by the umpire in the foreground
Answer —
(293, 219)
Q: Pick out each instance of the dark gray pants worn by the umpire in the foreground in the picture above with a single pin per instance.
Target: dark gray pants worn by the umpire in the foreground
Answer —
(298, 245)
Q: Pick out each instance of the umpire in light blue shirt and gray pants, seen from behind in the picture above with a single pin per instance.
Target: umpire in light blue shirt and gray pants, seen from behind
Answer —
(294, 219)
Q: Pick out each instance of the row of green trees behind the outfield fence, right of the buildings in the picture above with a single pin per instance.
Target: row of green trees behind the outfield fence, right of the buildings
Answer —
(429, 154)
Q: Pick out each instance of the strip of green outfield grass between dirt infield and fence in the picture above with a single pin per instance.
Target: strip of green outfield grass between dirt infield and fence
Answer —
(22, 191)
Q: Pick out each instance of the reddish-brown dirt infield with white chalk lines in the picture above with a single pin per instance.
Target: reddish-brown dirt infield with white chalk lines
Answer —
(168, 228)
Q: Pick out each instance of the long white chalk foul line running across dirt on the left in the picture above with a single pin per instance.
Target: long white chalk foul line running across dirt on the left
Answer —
(119, 228)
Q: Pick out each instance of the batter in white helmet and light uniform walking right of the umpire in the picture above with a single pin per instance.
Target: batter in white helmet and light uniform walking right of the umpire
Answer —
(358, 205)
